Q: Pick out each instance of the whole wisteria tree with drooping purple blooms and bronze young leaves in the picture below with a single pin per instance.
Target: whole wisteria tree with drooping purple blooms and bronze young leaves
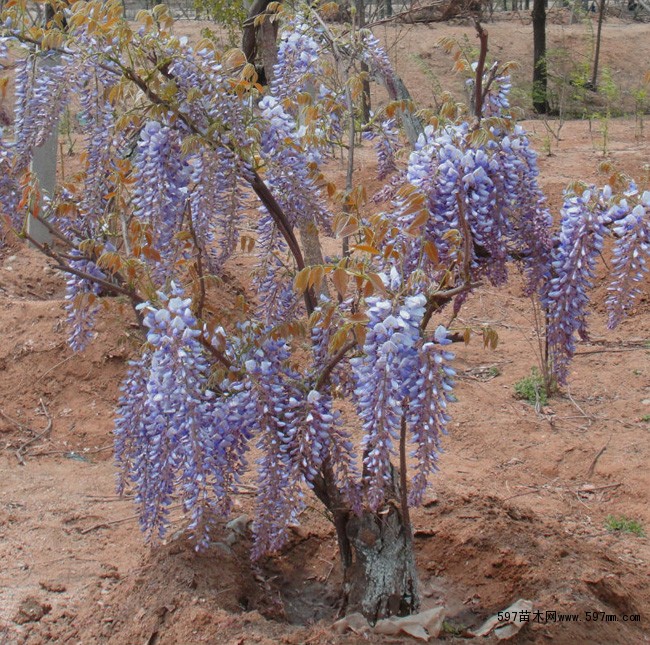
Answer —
(333, 374)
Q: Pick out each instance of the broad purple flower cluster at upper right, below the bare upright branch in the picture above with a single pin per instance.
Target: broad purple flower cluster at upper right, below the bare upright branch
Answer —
(489, 191)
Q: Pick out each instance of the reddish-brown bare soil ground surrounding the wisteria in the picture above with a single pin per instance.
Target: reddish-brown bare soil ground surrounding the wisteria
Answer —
(518, 509)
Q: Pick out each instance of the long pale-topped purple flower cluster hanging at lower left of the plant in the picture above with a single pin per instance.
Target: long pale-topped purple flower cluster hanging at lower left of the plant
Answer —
(168, 434)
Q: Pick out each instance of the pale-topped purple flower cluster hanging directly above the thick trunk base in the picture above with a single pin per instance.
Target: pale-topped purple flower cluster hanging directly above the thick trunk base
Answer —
(400, 380)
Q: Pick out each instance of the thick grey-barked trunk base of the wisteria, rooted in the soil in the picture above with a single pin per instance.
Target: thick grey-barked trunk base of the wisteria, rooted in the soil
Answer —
(381, 579)
